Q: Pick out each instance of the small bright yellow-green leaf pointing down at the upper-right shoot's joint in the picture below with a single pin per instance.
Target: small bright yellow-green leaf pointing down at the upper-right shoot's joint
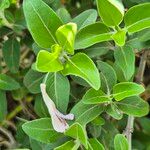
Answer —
(119, 37)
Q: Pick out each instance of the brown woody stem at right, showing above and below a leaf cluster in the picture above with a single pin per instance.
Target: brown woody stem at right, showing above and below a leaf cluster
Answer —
(139, 79)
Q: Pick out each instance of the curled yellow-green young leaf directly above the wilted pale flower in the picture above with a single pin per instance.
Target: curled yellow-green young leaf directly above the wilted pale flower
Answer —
(49, 62)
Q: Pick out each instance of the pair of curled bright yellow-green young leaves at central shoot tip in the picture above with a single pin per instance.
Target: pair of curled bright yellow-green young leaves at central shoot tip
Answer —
(51, 62)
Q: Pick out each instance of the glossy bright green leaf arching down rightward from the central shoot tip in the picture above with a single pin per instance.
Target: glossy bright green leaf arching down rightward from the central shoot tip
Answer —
(81, 65)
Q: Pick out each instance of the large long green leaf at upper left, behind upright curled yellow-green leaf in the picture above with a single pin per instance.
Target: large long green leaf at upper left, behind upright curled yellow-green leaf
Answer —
(42, 22)
